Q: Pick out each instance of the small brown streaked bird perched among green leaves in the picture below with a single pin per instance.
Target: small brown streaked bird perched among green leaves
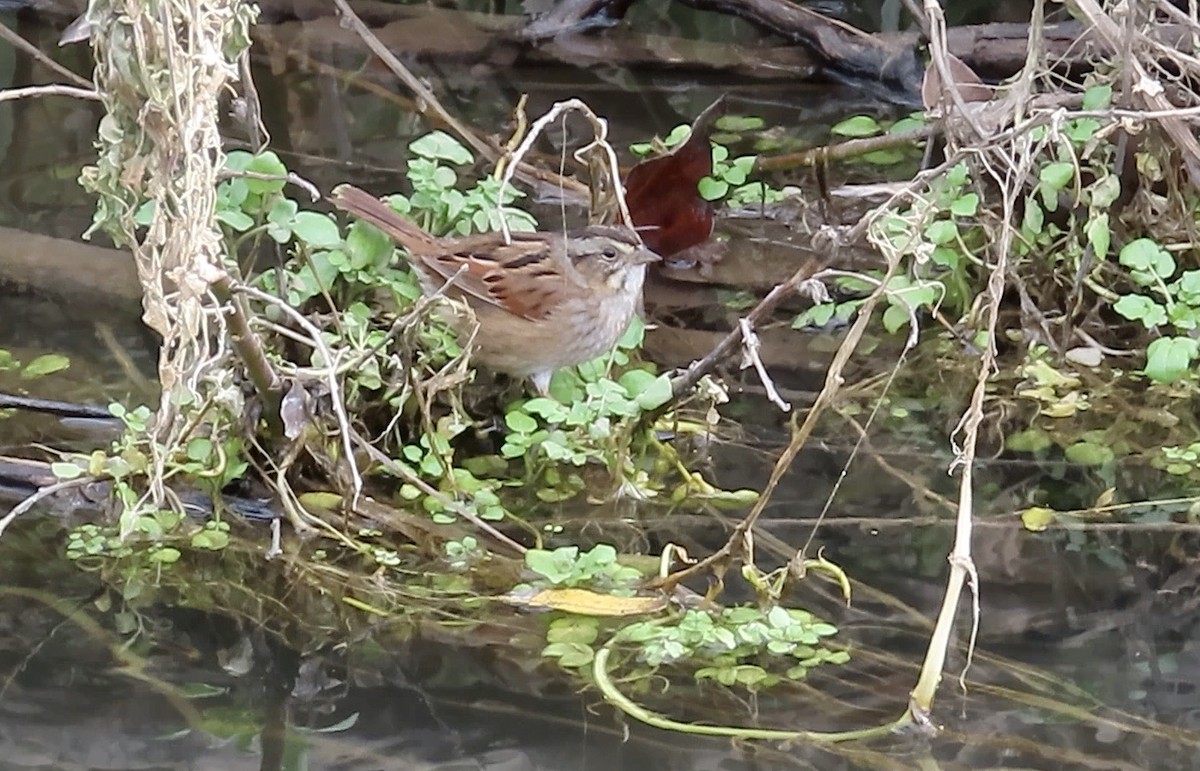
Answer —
(542, 301)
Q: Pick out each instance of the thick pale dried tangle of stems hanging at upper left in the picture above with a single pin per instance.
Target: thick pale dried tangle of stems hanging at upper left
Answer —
(161, 69)
